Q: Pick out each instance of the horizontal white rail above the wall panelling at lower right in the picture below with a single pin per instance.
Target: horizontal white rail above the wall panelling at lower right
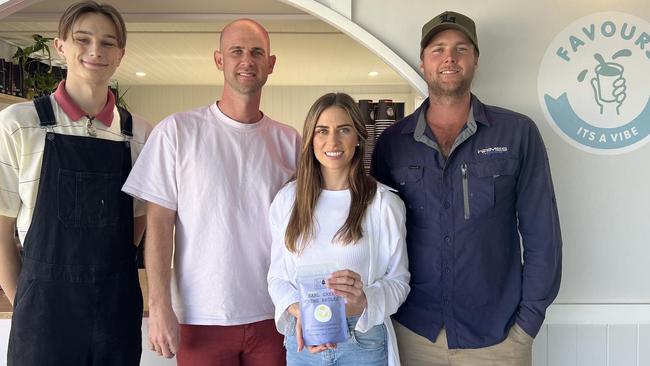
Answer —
(598, 314)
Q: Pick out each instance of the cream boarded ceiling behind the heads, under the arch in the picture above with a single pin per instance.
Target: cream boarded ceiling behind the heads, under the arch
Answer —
(173, 42)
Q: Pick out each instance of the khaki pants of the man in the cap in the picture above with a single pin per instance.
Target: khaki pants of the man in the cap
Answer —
(415, 350)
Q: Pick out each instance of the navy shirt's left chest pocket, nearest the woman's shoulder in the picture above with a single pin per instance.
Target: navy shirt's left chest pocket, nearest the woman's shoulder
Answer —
(410, 187)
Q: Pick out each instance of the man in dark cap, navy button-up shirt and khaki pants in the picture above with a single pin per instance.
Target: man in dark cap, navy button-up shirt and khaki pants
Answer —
(474, 179)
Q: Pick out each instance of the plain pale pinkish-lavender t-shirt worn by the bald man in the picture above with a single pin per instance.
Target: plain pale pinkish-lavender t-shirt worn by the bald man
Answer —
(220, 176)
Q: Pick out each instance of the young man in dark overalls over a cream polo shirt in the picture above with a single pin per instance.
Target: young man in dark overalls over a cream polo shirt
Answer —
(77, 299)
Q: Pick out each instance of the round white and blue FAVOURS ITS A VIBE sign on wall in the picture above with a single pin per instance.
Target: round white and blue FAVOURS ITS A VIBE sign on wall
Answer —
(593, 83)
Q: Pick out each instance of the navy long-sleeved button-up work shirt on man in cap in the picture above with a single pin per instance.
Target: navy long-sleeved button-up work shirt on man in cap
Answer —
(464, 219)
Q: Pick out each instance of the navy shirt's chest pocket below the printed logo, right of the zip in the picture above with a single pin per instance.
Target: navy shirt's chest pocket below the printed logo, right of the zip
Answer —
(488, 187)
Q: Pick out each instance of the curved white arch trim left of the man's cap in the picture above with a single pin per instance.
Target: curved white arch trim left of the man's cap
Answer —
(354, 31)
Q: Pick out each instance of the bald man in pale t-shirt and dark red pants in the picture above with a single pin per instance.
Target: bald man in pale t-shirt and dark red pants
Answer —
(211, 174)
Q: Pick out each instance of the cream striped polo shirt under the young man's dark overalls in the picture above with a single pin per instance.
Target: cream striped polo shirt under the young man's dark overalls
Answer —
(22, 142)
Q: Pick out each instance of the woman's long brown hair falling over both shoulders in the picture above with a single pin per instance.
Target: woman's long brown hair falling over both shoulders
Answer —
(309, 180)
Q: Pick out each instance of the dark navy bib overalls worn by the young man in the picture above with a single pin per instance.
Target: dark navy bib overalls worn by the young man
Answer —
(78, 300)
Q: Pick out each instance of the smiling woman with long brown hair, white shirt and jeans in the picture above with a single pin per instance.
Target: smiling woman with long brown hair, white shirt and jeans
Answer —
(334, 213)
